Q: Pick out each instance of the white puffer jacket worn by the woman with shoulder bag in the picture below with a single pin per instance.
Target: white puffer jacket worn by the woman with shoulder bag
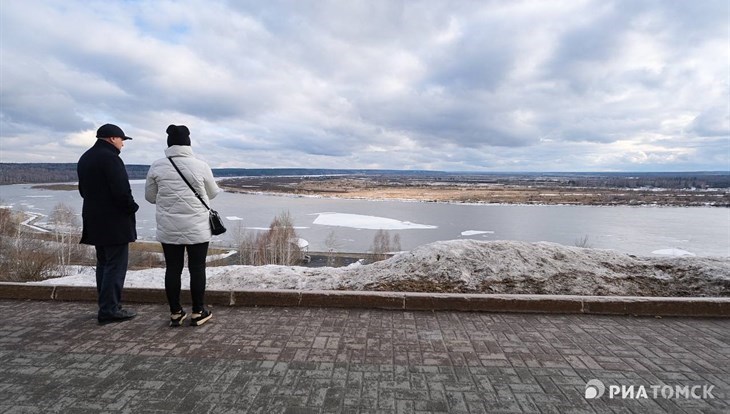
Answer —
(181, 217)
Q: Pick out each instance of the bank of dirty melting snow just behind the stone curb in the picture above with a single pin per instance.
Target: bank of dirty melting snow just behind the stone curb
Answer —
(471, 266)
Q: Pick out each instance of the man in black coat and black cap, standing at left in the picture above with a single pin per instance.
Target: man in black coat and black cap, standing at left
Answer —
(108, 218)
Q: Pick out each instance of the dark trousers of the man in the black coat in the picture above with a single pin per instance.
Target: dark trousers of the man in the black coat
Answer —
(111, 270)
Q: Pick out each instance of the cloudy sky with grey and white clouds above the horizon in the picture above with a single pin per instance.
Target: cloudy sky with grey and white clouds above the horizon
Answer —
(513, 85)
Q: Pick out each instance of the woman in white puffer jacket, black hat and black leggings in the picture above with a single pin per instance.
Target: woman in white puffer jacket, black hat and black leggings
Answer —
(182, 220)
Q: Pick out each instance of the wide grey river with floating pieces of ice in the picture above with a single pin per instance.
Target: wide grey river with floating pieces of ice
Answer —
(702, 231)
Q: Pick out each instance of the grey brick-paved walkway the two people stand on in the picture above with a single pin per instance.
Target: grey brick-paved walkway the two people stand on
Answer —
(55, 358)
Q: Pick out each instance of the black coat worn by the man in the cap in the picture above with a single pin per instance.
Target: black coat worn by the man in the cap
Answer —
(109, 207)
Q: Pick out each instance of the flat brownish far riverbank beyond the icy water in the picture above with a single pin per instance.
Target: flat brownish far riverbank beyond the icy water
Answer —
(465, 190)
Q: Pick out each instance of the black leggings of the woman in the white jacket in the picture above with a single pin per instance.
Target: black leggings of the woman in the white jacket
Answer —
(175, 260)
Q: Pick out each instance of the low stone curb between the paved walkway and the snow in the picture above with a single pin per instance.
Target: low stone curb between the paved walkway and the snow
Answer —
(566, 304)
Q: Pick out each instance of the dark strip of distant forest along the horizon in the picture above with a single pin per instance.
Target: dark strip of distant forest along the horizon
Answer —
(12, 173)
